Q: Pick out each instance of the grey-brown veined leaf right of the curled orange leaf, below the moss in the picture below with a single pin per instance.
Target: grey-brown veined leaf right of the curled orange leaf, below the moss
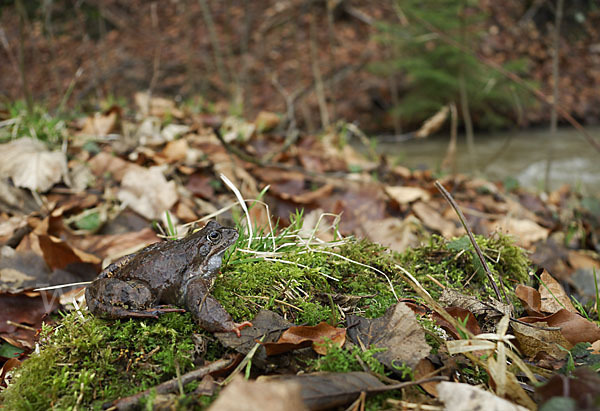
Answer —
(398, 331)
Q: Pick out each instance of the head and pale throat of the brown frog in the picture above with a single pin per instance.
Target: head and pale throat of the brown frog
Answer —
(215, 240)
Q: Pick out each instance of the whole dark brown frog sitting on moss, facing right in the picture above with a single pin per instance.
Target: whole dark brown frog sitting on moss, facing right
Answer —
(146, 283)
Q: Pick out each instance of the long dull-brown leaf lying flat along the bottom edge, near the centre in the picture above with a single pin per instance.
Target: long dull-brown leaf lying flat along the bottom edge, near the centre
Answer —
(321, 391)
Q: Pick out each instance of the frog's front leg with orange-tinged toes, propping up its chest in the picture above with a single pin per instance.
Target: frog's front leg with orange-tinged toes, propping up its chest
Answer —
(207, 311)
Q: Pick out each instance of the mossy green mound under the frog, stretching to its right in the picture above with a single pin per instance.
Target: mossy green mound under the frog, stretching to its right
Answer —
(85, 361)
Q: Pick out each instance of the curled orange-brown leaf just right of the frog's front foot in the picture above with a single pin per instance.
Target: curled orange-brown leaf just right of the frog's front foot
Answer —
(305, 336)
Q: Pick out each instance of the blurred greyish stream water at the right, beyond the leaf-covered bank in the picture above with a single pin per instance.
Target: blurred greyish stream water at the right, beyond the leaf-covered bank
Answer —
(519, 154)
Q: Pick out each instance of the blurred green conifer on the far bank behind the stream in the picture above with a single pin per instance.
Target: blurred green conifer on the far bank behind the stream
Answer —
(434, 70)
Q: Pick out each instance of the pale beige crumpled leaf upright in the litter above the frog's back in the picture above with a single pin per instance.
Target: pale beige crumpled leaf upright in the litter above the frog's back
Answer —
(147, 192)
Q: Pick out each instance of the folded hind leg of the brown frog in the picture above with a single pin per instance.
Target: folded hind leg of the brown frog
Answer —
(115, 298)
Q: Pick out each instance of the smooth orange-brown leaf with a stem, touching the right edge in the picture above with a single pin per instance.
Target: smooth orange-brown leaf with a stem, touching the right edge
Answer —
(573, 326)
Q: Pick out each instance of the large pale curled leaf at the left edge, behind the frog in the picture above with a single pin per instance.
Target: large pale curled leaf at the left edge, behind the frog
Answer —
(31, 165)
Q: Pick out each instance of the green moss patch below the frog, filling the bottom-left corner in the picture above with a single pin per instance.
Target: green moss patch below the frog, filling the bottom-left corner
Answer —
(89, 361)
